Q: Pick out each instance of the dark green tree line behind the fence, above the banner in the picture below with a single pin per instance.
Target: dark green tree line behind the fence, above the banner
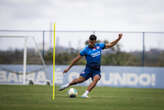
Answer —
(114, 56)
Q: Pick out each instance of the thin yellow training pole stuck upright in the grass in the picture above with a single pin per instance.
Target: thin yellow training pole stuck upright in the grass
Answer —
(53, 96)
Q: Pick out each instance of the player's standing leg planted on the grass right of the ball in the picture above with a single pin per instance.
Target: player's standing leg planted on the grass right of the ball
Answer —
(91, 86)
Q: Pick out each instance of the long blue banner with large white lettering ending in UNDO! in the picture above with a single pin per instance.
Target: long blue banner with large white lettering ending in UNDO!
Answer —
(114, 76)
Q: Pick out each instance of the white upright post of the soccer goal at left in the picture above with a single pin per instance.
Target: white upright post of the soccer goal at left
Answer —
(25, 60)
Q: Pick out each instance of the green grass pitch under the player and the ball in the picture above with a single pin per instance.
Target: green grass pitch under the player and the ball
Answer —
(102, 98)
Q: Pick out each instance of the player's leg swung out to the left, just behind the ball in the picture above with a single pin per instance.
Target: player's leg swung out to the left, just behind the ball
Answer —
(75, 81)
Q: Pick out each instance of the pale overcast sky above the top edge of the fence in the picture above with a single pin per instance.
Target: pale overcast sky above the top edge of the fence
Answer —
(112, 15)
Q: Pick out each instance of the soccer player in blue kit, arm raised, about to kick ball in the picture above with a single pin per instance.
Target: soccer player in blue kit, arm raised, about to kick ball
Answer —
(92, 53)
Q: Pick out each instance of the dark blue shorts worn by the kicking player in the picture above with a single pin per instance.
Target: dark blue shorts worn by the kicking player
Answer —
(90, 73)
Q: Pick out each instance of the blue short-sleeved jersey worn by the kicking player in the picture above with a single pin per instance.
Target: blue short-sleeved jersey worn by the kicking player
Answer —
(93, 55)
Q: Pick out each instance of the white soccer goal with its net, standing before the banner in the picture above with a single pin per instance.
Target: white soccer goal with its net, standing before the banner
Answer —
(21, 60)
